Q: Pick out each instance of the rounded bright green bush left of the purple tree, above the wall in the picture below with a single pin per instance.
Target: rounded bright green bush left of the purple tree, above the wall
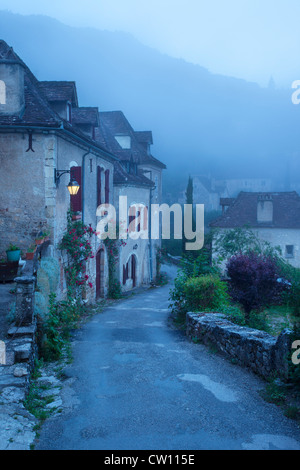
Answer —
(205, 293)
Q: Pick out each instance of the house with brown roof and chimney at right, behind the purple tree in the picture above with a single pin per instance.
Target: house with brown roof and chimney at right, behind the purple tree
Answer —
(274, 217)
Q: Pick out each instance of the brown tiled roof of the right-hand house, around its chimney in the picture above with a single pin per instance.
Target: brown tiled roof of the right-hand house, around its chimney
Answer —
(243, 211)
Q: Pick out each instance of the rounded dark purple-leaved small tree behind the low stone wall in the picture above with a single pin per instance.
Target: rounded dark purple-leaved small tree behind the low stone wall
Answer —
(253, 281)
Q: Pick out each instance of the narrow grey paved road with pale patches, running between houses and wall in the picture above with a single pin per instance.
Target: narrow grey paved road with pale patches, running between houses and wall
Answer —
(140, 385)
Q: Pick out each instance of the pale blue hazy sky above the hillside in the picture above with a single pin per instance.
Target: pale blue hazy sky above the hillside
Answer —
(251, 39)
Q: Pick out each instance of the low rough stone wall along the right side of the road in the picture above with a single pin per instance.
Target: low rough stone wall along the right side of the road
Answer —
(261, 352)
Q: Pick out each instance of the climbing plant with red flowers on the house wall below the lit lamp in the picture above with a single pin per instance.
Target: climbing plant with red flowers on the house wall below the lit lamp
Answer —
(76, 242)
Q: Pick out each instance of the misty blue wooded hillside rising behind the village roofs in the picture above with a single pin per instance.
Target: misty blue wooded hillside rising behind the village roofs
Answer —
(201, 122)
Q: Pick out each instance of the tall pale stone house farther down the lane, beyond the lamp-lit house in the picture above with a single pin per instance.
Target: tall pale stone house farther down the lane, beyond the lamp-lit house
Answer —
(138, 176)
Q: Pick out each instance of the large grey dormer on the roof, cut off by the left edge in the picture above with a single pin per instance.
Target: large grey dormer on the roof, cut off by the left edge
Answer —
(12, 95)
